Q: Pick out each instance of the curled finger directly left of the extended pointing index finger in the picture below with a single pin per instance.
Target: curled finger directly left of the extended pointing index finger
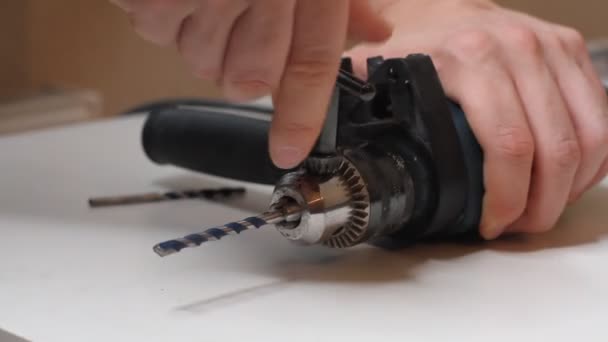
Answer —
(258, 48)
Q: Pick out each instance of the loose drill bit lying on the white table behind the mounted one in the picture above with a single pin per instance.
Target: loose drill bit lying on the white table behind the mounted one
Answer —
(167, 196)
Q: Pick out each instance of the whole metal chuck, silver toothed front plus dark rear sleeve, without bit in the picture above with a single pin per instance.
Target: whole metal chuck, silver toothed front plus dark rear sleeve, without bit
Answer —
(370, 194)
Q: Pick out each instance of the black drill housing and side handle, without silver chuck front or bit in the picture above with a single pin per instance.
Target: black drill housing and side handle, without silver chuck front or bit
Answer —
(410, 146)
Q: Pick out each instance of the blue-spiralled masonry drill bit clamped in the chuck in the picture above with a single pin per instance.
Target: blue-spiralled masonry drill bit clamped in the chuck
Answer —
(287, 214)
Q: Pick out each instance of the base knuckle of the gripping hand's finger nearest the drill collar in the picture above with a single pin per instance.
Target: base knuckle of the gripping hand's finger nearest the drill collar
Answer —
(475, 45)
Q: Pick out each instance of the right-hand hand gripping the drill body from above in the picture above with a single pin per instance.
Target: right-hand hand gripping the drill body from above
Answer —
(530, 93)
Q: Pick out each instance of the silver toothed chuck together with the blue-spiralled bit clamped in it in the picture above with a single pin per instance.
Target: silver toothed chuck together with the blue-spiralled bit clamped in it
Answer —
(307, 207)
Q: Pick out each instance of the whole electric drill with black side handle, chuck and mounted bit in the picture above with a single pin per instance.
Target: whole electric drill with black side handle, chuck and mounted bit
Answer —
(396, 162)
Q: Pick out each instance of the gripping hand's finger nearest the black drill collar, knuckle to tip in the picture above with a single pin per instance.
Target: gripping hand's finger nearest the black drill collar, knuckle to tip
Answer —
(487, 94)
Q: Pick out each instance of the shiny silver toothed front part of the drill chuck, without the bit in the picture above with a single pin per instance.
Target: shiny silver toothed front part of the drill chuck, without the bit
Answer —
(335, 206)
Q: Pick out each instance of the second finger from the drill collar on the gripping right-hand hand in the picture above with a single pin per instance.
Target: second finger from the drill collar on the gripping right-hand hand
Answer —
(557, 153)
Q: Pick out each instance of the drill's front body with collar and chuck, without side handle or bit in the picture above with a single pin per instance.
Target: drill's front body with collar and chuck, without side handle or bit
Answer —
(406, 161)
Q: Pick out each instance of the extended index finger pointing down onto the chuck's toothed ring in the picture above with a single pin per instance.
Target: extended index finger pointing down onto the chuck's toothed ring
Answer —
(308, 80)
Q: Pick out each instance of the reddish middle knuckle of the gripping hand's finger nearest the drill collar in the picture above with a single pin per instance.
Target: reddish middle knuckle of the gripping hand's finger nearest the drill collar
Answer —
(513, 143)
